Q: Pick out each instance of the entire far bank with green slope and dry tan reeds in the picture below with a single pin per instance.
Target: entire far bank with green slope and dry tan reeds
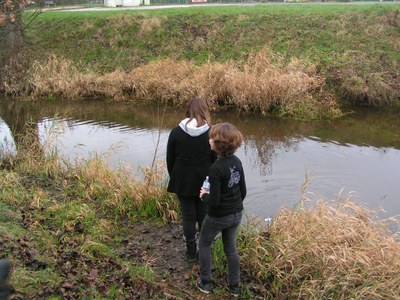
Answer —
(329, 87)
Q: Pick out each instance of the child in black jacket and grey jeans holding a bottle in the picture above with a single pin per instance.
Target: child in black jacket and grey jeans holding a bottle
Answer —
(225, 205)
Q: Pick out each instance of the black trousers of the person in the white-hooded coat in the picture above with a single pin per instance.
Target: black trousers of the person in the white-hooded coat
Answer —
(193, 211)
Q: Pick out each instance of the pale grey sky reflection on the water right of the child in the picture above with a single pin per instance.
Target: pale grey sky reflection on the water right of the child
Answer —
(369, 174)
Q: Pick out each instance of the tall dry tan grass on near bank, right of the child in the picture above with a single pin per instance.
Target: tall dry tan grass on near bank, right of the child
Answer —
(330, 250)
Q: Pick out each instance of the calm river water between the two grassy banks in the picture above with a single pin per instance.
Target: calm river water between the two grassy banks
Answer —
(357, 156)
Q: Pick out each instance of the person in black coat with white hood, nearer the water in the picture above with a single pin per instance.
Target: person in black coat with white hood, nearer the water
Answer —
(189, 157)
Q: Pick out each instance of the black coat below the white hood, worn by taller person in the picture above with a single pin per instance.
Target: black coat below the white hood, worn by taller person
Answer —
(188, 161)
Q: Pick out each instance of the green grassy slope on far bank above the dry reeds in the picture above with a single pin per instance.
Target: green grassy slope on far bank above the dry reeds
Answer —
(353, 47)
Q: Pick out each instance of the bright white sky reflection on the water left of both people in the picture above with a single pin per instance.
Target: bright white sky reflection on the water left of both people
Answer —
(119, 145)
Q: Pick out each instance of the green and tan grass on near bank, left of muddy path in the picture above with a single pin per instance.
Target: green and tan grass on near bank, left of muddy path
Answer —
(56, 227)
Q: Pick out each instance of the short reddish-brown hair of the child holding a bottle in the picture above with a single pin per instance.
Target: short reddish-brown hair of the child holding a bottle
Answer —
(226, 138)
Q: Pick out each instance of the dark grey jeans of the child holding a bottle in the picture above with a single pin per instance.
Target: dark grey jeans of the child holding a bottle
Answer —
(228, 226)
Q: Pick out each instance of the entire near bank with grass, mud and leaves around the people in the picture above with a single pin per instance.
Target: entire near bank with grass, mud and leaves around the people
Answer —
(80, 231)
